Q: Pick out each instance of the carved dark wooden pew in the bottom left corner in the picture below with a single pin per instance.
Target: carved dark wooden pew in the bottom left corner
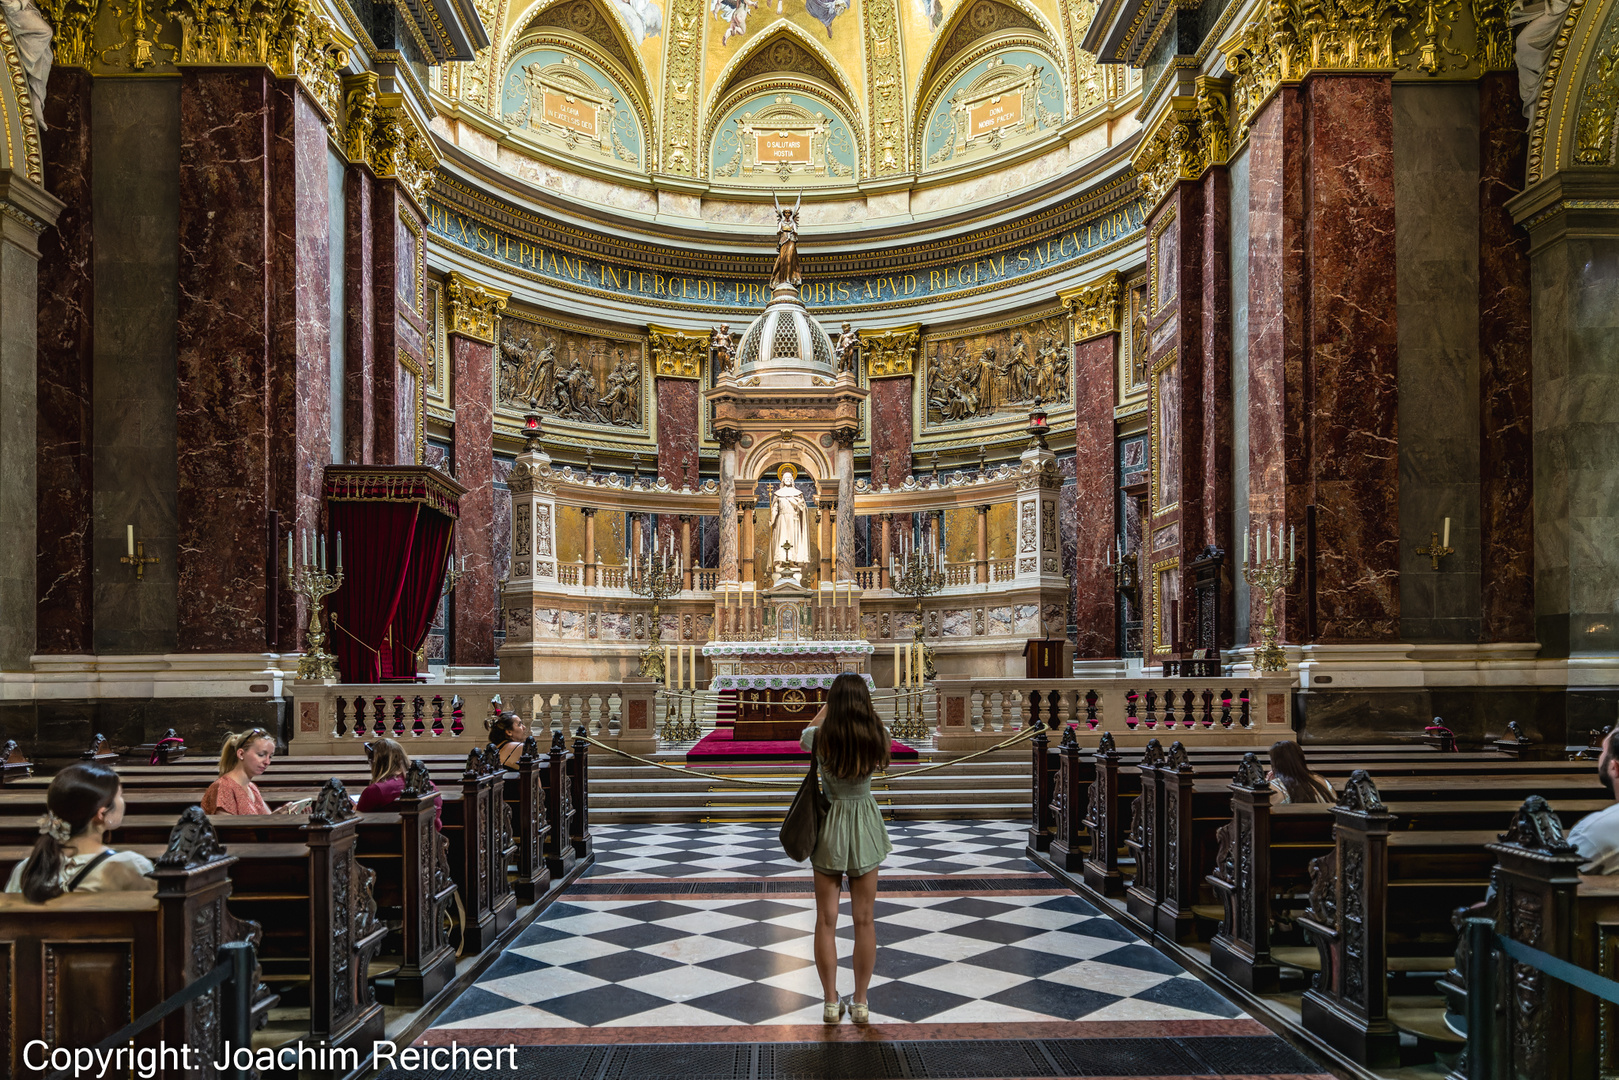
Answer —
(80, 967)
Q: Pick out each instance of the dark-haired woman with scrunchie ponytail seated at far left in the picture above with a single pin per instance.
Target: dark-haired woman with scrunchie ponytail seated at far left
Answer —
(83, 804)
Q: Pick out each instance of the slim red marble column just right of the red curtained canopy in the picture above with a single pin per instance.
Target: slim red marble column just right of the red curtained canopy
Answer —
(475, 443)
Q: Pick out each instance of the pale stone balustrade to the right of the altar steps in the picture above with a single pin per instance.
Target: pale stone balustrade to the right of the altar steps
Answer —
(1124, 707)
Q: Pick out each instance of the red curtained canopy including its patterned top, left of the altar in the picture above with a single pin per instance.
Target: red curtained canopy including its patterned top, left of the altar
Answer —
(397, 525)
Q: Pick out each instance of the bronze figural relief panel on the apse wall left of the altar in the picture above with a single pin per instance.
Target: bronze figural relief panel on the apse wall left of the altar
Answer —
(572, 376)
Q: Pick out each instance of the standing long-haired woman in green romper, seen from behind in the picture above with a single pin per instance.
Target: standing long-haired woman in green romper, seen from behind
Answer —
(851, 746)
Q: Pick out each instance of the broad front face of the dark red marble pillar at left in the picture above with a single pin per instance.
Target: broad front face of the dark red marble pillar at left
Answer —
(224, 321)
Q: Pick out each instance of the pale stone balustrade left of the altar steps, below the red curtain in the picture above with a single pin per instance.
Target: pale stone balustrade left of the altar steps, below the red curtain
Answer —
(440, 718)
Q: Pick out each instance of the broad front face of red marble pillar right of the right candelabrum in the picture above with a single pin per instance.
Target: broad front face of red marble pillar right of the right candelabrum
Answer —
(1353, 359)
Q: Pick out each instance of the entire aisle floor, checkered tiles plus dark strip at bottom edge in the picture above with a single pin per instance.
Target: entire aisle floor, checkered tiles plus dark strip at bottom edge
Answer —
(695, 943)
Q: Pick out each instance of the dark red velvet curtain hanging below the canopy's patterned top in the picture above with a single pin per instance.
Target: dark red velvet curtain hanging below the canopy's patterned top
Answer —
(378, 540)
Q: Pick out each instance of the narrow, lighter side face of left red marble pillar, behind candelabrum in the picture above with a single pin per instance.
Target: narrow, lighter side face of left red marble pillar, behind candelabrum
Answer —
(300, 333)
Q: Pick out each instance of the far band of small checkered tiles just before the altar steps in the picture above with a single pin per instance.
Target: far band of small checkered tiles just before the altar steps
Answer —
(752, 851)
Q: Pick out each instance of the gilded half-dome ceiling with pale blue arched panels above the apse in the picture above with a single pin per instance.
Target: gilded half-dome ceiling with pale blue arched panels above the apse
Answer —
(812, 95)
